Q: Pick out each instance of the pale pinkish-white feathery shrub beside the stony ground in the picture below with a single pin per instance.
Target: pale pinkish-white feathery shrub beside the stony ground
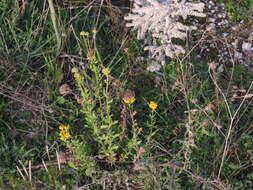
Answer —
(159, 19)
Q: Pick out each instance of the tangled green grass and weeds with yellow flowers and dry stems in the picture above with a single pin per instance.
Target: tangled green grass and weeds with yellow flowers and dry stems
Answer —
(79, 111)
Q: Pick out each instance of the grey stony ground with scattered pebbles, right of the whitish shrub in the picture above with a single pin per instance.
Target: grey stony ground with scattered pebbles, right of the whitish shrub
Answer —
(223, 40)
